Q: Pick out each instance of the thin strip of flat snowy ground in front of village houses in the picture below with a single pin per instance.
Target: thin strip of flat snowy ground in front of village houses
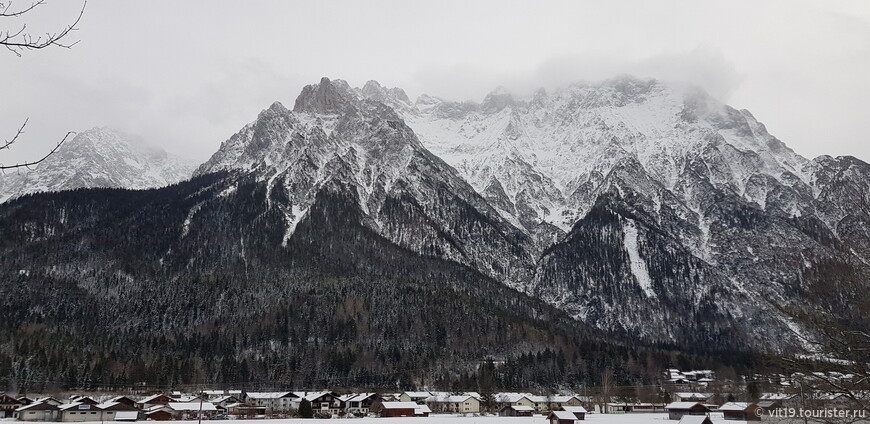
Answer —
(453, 419)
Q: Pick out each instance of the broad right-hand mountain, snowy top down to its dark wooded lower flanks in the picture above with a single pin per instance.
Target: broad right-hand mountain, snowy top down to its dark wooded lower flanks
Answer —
(667, 210)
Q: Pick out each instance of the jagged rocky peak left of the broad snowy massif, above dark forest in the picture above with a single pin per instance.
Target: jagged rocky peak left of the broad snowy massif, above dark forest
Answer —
(333, 137)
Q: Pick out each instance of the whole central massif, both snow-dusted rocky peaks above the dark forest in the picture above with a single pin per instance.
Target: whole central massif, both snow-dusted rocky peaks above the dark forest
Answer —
(641, 208)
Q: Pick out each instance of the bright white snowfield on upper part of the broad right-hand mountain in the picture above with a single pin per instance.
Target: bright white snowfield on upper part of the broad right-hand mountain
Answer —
(547, 153)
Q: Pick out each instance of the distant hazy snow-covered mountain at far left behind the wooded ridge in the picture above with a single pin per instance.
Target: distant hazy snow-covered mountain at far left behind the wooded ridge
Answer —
(99, 157)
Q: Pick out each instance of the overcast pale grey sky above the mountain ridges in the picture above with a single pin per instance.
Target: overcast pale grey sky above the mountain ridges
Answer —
(185, 75)
